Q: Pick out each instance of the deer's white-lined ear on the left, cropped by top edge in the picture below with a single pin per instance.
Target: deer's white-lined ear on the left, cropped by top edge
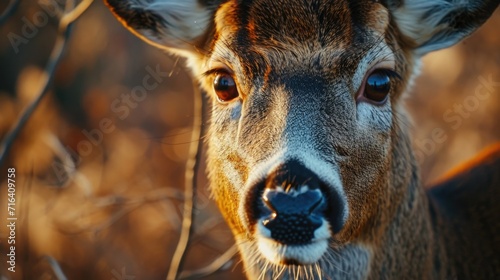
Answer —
(175, 25)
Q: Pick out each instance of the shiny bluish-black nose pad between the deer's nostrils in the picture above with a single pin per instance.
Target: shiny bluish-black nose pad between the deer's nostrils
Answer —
(294, 215)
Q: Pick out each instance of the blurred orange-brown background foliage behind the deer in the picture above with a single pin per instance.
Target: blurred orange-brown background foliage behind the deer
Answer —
(100, 173)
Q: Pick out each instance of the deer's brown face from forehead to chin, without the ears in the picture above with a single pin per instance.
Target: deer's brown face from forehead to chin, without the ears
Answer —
(302, 122)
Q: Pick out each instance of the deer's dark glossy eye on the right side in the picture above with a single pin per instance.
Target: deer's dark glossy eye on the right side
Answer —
(378, 85)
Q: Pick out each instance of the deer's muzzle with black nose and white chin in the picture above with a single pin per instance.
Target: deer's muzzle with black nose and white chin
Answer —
(295, 214)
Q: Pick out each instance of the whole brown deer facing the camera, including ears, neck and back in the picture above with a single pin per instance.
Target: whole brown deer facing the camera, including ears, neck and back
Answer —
(309, 158)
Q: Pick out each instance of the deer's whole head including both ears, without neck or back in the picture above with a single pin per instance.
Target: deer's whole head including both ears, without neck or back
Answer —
(308, 156)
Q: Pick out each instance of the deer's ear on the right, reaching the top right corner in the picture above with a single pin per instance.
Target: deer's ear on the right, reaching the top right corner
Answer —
(438, 24)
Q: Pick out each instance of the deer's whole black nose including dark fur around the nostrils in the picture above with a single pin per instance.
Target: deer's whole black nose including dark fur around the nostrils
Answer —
(293, 206)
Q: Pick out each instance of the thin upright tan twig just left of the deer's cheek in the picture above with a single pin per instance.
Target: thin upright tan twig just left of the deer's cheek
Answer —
(192, 166)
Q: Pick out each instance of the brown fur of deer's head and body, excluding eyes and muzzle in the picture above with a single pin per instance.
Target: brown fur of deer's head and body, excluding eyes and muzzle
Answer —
(294, 63)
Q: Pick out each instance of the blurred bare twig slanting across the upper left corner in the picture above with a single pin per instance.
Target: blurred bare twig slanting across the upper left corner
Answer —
(56, 55)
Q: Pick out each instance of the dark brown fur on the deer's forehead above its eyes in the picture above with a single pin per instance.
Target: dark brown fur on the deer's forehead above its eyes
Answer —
(263, 33)
